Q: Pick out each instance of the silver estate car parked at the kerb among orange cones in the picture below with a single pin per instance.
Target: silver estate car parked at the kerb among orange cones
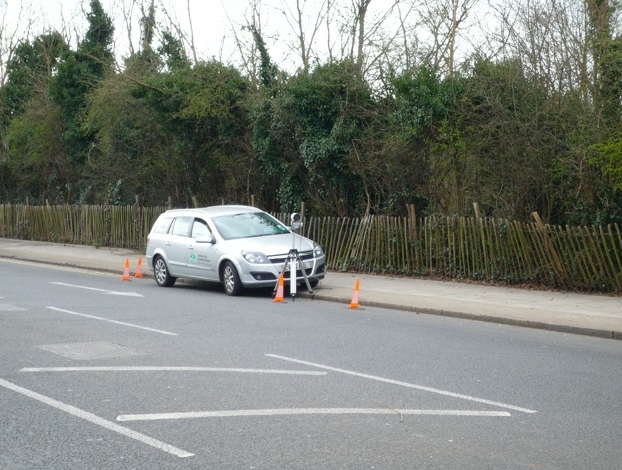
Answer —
(237, 246)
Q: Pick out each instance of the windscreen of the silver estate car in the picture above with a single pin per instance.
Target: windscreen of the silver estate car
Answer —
(248, 224)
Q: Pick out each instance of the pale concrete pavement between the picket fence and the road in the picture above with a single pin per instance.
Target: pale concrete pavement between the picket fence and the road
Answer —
(587, 314)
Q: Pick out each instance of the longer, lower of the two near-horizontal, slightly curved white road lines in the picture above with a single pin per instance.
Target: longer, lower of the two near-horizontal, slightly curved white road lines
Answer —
(307, 411)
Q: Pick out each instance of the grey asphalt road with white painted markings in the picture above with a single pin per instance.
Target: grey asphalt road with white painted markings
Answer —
(96, 373)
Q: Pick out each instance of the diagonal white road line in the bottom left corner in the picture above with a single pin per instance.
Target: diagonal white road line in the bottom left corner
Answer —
(111, 426)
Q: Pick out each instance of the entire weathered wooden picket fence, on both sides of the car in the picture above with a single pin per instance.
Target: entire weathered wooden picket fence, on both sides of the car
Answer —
(481, 249)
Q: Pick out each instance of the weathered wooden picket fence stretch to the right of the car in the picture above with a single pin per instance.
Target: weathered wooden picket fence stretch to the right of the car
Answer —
(484, 249)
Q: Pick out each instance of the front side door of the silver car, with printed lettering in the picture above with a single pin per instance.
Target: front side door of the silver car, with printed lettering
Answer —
(202, 263)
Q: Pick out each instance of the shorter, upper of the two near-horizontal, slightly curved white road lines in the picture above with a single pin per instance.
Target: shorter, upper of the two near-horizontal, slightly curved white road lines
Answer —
(171, 369)
